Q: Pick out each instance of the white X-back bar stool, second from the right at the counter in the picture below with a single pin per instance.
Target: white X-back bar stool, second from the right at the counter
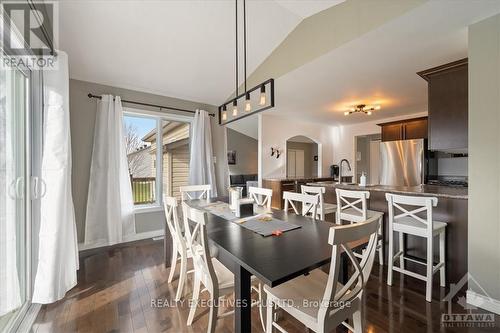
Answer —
(352, 207)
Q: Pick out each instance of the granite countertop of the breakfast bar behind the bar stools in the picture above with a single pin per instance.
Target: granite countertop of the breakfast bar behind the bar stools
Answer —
(425, 190)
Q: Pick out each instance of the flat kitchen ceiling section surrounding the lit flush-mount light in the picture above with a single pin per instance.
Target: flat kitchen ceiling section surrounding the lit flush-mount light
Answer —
(379, 67)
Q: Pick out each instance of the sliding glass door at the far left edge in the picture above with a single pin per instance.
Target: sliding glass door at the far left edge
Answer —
(14, 181)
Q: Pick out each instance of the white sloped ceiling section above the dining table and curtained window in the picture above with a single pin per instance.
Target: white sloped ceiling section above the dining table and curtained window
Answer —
(183, 49)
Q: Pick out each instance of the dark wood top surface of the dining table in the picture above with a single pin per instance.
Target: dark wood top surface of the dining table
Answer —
(274, 259)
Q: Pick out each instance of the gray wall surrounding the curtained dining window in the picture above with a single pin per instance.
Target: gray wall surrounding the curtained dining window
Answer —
(82, 116)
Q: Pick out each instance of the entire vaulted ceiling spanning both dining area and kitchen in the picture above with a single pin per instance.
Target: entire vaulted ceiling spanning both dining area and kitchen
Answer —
(326, 55)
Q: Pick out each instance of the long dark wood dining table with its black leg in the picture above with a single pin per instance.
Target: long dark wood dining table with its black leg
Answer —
(274, 259)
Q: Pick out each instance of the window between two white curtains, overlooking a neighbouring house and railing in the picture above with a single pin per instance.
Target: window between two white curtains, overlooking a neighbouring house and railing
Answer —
(149, 161)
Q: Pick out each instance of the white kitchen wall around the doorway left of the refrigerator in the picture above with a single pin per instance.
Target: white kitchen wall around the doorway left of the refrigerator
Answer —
(344, 137)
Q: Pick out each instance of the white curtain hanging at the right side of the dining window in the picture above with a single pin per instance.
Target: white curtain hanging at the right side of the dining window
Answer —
(201, 164)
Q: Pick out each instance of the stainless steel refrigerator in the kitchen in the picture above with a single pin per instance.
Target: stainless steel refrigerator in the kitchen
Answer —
(402, 162)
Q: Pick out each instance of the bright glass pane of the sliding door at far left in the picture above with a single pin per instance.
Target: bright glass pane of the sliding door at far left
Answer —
(10, 297)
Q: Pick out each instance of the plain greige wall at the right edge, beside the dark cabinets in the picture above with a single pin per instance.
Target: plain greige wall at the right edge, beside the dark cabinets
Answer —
(484, 163)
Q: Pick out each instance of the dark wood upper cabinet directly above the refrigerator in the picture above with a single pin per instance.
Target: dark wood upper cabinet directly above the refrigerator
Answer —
(405, 129)
